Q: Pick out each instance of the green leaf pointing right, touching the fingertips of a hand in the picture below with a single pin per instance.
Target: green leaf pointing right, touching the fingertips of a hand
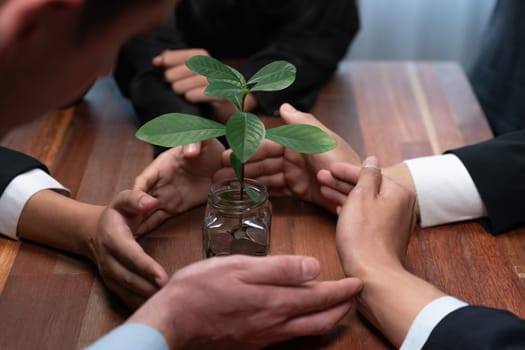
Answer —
(302, 138)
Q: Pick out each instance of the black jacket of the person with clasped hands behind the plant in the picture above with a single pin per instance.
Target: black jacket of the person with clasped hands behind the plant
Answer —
(313, 35)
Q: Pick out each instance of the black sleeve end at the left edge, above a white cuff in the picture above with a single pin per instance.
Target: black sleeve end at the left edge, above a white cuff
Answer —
(14, 163)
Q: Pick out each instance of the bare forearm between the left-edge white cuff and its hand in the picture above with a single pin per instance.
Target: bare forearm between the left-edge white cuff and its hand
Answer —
(58, 221)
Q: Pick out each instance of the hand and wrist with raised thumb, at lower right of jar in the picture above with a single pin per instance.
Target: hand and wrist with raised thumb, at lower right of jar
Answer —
(373, 232)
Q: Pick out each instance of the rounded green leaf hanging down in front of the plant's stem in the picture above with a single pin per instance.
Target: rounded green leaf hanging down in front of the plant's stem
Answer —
(244, 133)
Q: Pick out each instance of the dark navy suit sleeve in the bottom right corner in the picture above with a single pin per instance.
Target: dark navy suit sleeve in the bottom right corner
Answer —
(477, 327)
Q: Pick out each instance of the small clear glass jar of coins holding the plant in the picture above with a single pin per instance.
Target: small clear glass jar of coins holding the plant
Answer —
(234, 223)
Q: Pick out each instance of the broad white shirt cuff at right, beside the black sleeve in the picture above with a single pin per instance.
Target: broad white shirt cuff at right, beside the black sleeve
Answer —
(445, 191)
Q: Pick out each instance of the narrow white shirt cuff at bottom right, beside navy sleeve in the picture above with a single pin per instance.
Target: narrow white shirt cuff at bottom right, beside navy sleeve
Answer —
(427, 319)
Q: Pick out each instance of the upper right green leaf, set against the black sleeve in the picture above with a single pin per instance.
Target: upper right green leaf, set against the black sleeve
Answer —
(275, 76)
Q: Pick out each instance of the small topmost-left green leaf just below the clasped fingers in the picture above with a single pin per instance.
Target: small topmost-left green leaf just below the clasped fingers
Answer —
(215, 70)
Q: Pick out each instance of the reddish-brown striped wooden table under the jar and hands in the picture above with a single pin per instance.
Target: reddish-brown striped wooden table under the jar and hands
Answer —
(52, 300)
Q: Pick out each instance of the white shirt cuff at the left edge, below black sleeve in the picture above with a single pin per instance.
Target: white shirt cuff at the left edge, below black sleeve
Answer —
(18, 192)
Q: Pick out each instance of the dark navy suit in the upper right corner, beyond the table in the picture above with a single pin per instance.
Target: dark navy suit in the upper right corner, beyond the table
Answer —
(497, 74)
